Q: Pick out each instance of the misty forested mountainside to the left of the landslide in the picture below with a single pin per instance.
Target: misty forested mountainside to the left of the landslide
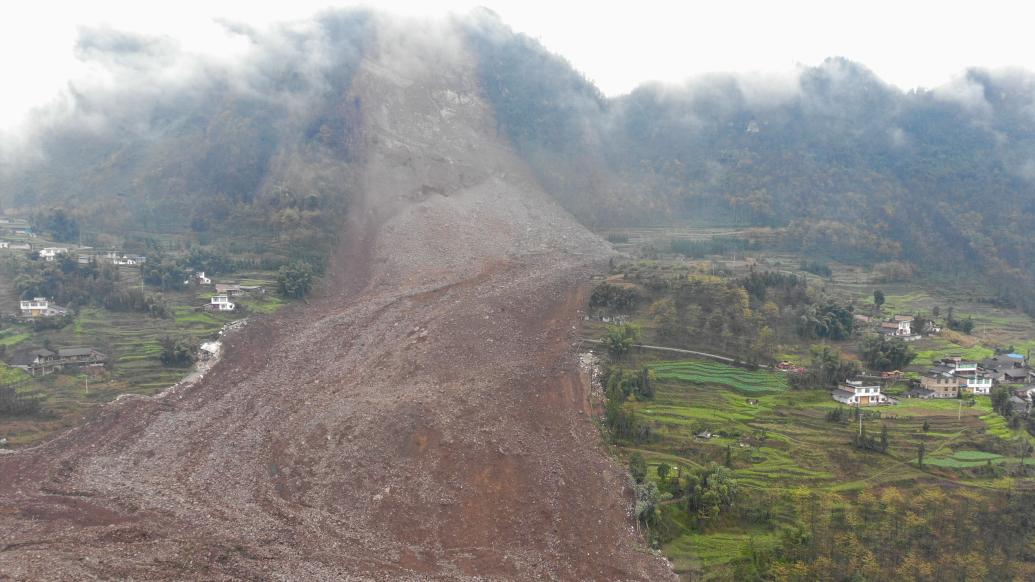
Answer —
(253, 154)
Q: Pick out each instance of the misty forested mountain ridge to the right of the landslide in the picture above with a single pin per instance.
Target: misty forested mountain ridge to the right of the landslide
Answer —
(839, 162)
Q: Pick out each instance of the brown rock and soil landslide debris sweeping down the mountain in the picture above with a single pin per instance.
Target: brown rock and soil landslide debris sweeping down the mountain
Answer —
(425, 418)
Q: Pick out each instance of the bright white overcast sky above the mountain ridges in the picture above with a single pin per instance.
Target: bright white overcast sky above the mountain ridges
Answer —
(617, 45)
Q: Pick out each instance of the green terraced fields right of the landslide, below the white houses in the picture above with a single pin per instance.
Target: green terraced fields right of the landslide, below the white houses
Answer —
(780, 441)
